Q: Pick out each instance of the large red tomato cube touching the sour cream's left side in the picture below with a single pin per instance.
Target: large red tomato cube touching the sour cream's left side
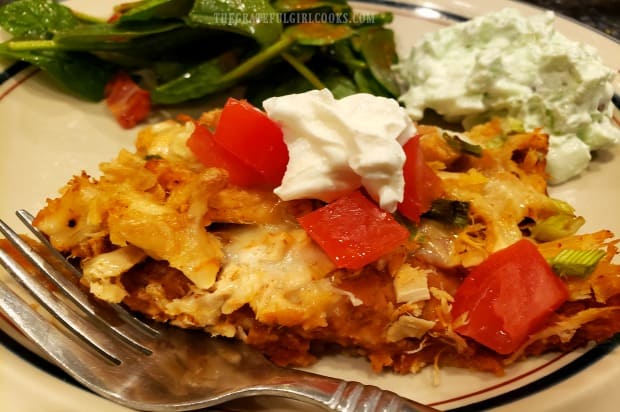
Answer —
(254, 138)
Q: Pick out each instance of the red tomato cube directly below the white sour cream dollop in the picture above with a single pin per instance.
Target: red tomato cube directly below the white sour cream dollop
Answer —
(353, 231)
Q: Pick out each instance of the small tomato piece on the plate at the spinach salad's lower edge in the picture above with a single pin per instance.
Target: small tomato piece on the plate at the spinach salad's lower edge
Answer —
(127, 101)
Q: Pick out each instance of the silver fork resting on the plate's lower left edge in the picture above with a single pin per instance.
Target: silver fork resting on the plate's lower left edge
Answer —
(148, 367)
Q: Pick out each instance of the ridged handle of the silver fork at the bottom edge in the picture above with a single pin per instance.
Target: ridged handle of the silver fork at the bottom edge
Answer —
(344, 396)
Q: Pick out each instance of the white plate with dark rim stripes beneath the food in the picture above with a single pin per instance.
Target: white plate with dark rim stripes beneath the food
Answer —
(47, 136)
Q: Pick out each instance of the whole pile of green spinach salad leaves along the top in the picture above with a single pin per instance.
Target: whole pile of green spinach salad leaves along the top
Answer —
(189, 49)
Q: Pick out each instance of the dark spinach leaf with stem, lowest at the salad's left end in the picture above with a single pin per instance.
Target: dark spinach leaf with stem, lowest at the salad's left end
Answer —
(80, 73)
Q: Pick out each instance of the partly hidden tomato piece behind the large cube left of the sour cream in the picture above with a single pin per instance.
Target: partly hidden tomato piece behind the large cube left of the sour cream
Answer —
(210, 154)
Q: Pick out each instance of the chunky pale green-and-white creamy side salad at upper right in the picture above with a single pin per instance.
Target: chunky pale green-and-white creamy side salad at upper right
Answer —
(504, 64)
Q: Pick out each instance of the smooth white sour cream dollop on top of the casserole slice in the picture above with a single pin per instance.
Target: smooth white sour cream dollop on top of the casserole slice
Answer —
(338, 145)
